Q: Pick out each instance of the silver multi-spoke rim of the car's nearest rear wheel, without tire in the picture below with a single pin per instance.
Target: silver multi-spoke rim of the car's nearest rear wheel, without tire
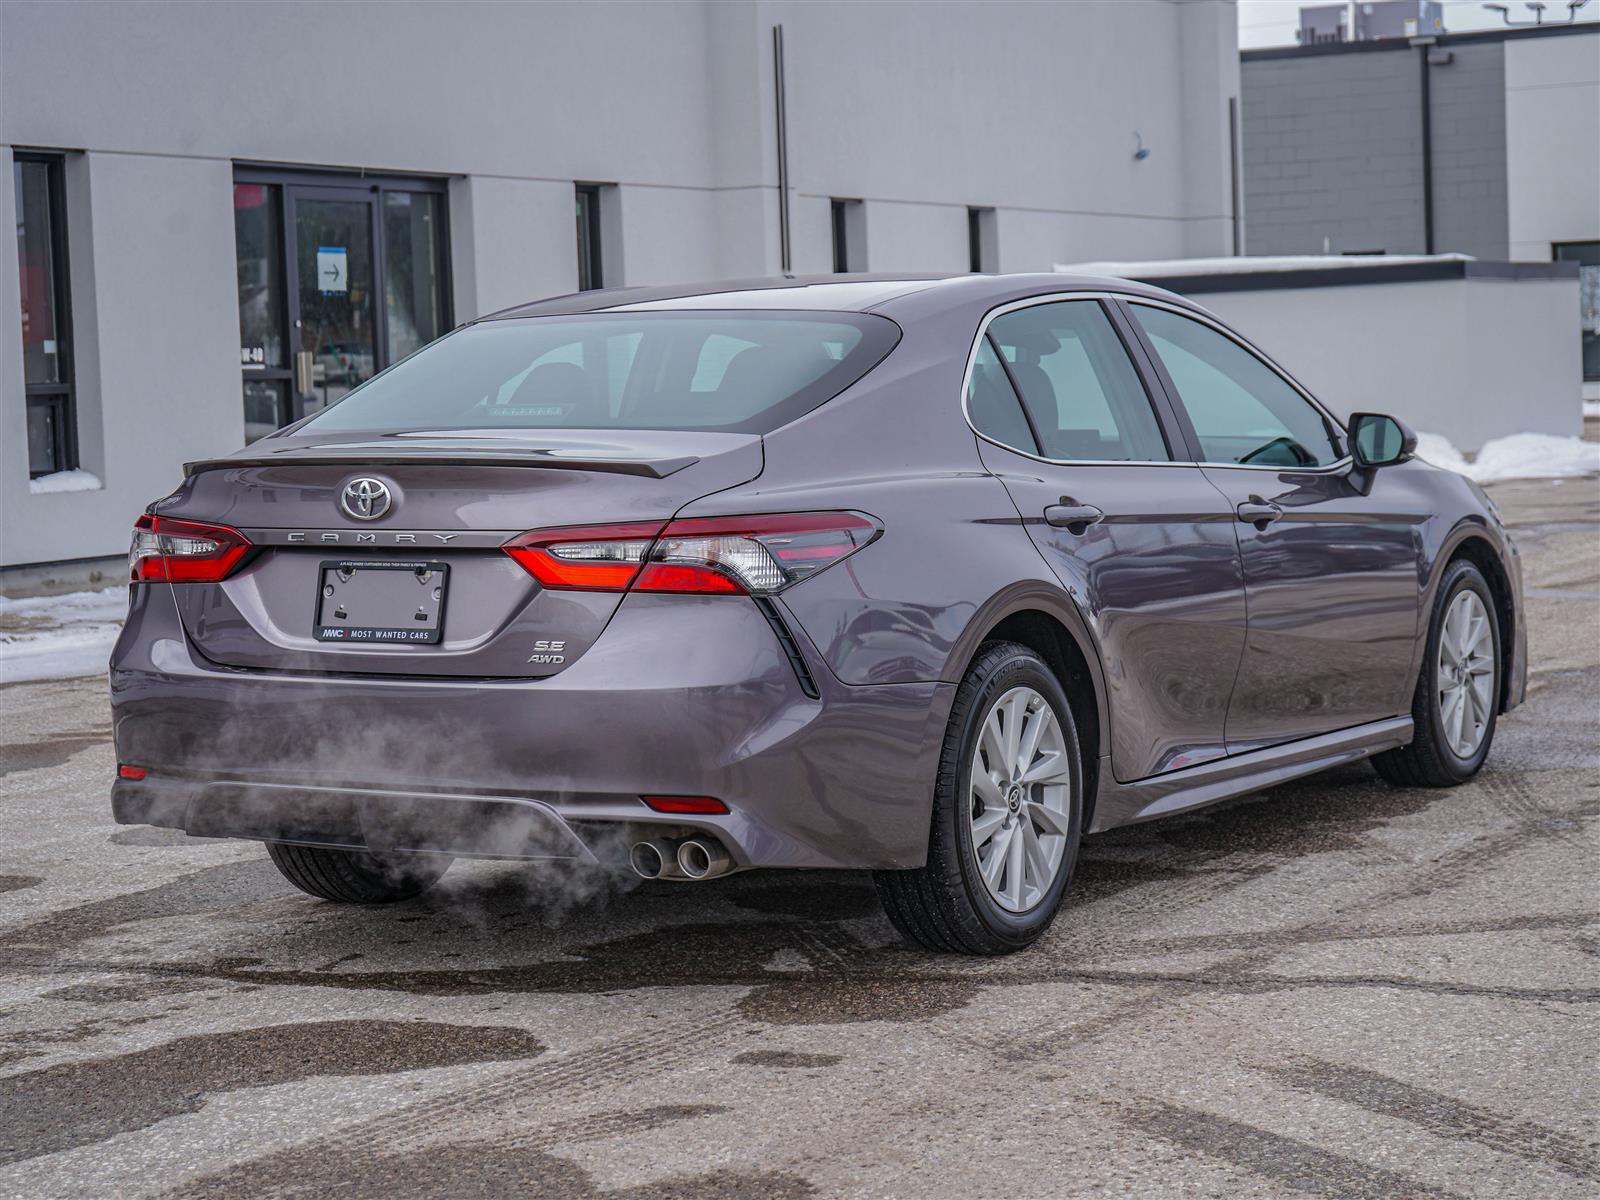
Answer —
(1020, 799)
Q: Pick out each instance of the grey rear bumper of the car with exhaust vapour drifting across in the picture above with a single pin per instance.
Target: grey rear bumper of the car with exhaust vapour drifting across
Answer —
(679, 697)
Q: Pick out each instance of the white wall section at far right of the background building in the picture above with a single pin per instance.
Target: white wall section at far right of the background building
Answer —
(1553, 143)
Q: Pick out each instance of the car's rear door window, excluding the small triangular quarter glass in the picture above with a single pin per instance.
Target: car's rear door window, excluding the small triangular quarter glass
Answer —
(1082, 393)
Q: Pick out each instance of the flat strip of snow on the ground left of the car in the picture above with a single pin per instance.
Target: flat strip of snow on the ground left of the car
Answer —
(60, 636)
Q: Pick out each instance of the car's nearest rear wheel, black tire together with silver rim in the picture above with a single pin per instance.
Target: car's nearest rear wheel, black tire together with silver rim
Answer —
(1007, 814)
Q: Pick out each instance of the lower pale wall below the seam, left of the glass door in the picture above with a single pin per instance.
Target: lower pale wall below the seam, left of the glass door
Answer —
(156, 350)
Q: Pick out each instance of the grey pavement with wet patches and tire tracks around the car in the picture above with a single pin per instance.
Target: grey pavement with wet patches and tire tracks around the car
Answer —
(1332, 990)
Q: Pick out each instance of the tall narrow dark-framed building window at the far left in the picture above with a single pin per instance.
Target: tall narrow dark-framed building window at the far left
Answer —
(47, 329)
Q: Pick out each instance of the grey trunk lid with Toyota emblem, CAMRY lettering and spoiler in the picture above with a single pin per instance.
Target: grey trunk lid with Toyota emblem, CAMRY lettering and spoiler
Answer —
(454, 500)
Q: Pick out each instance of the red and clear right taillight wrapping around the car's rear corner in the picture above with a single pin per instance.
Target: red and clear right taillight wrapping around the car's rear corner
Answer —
(702, 556)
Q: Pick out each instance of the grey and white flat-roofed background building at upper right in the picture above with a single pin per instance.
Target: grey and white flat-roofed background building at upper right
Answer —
(1484, 145)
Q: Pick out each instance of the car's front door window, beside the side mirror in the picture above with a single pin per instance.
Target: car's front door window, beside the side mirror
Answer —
(1242, 410)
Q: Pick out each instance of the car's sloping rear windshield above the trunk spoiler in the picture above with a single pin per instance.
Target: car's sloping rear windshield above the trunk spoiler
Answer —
(738, 372)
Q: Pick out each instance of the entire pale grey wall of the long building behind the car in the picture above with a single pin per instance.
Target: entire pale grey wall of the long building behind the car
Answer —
(919, 111)
